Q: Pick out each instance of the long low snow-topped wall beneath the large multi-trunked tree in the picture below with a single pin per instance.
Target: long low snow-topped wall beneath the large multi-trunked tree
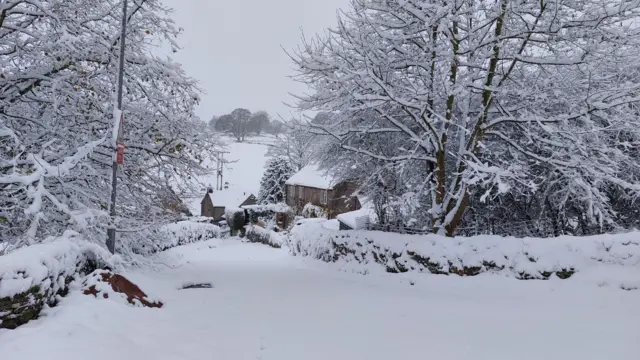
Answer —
(521, 258)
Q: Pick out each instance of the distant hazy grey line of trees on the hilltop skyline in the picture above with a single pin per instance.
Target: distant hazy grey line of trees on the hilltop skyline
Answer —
(242, 123)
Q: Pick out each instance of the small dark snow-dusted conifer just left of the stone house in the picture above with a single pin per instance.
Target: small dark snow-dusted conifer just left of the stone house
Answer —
(272, 188)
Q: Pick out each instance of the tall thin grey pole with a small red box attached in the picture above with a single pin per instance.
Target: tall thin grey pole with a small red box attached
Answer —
(111, 231)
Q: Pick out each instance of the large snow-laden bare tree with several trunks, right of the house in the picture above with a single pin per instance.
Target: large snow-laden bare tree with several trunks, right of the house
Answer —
(500, 96)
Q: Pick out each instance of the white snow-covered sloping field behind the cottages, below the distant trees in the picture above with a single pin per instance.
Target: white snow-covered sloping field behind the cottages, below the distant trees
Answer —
(243, 172)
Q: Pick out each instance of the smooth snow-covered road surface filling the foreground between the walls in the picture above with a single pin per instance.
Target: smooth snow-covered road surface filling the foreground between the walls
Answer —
(266, 304)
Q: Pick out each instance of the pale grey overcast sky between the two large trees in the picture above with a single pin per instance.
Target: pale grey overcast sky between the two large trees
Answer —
(234, 49)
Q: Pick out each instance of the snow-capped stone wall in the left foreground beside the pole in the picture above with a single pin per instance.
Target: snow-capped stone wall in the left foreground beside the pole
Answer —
(37, 276)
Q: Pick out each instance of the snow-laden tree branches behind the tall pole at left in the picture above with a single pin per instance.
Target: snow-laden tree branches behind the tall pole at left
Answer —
(59, 64)
